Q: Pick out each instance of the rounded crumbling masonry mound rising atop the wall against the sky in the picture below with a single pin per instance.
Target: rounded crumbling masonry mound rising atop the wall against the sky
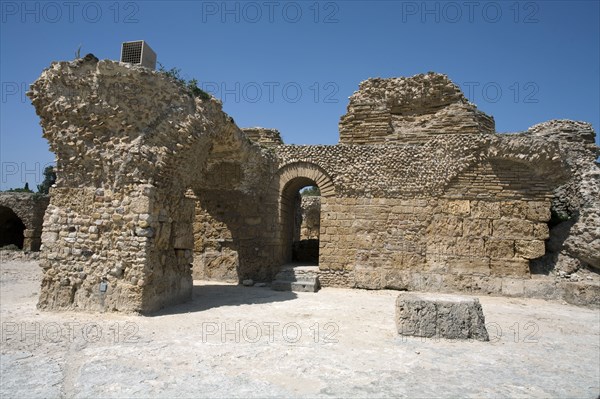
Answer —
(384, 110)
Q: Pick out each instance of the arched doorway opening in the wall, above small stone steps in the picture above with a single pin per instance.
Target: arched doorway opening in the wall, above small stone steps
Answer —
(301, 208)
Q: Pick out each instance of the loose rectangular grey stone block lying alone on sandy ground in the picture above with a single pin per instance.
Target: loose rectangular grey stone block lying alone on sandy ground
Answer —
(440, 316)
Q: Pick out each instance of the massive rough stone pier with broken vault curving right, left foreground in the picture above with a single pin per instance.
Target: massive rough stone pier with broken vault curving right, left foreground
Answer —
(131, 144)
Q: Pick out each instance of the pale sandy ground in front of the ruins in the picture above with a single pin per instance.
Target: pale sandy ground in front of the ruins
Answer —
(235, 341)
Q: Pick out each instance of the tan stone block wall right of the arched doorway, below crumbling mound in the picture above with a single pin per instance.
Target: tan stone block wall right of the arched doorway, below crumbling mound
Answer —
(484, 221)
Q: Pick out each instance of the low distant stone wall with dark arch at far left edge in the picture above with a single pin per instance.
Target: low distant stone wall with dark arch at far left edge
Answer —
(29, 208)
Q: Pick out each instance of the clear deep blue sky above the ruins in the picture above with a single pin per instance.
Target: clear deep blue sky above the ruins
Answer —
(291, 65)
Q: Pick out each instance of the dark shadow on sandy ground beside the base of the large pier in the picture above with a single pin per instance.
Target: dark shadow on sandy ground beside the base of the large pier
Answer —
(206, 296)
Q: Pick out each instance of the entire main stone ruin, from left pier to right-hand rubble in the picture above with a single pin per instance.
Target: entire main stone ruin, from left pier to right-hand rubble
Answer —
(156, 187)
